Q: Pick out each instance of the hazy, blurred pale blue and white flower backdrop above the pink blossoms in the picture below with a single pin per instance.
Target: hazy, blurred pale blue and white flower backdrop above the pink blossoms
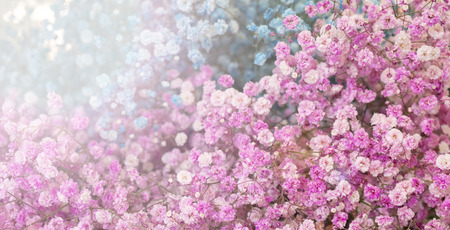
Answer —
(103, 51)
